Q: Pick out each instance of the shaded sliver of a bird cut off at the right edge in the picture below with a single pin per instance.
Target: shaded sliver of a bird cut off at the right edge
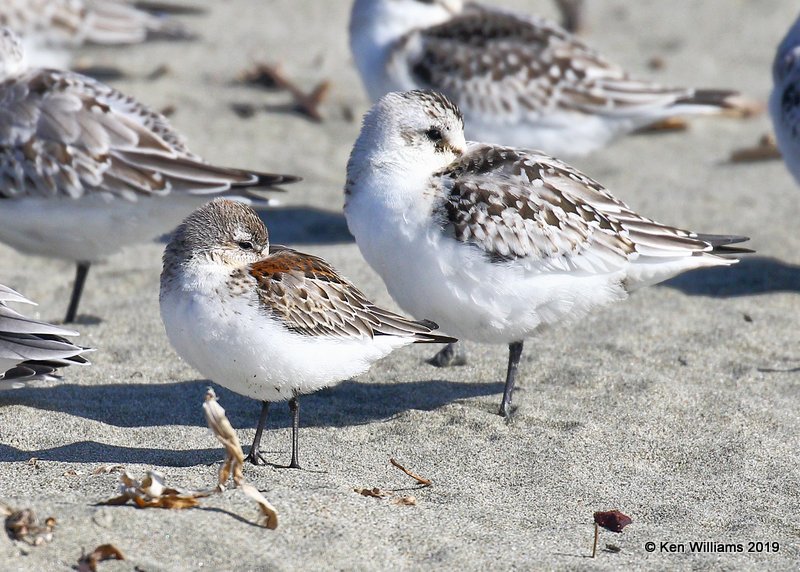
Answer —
(784, 101)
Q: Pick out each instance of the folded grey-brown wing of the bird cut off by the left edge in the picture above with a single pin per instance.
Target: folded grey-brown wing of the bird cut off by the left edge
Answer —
(64, 134)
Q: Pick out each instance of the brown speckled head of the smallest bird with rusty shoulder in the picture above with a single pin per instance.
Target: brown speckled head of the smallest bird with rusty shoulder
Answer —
(223, 231)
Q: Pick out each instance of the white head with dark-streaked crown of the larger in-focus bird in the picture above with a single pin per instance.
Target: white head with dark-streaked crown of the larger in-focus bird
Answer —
(420, 130)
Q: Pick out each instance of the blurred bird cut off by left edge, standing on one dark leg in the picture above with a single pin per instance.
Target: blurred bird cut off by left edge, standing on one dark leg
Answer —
(86, 170)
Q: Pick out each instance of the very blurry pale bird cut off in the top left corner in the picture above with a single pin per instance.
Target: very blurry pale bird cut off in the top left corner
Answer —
(50, 28)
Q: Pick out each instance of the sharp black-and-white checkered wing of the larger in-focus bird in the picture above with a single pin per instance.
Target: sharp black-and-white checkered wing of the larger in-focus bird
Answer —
(521, 205)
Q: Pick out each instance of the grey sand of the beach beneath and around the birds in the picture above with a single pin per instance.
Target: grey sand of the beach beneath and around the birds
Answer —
(678, 407)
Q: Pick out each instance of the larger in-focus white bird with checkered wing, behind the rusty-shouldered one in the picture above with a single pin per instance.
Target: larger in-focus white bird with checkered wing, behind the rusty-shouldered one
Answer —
(496, 243)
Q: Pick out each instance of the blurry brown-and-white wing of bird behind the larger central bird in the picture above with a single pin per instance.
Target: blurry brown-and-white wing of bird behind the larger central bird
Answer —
(505, 67)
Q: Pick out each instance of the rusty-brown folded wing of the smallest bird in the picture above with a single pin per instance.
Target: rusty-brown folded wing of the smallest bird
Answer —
(310, 298)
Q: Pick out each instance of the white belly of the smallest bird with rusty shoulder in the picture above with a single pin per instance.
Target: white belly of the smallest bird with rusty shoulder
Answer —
(235, 344)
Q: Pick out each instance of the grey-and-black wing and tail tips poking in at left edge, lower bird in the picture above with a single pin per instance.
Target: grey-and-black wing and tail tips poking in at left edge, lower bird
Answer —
(29, 348)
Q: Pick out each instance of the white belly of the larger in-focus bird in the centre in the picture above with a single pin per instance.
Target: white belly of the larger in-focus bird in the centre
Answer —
(433, 277)
